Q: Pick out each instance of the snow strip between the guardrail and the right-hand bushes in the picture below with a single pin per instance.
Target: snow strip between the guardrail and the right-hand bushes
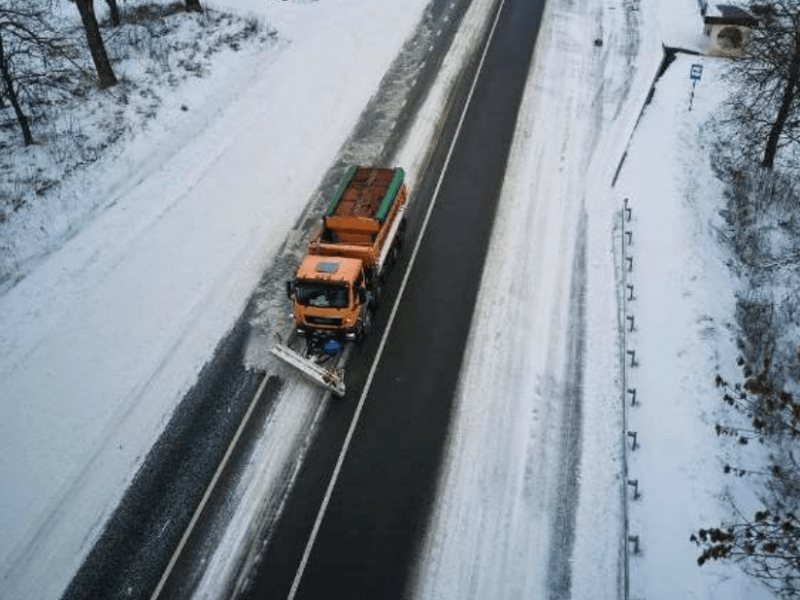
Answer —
(683, 337)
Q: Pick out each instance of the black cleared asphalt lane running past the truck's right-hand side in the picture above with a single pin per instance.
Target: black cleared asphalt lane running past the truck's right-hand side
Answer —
(376, 512)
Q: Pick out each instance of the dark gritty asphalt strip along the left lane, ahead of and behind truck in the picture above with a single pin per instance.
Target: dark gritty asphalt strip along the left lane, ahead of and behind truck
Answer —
(140, 538)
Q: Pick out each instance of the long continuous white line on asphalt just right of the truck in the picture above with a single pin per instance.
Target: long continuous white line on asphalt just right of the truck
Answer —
(329, 492)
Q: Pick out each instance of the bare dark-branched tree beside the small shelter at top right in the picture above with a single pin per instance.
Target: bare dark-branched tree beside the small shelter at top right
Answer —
(768, 76)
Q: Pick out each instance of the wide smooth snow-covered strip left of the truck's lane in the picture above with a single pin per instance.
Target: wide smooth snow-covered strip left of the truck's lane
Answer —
(102, 338)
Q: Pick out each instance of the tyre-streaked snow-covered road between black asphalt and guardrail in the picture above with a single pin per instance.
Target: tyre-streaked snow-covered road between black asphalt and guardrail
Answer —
(534, 381)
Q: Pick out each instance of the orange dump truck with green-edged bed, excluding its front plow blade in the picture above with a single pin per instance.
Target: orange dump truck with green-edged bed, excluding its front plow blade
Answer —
(338, 284)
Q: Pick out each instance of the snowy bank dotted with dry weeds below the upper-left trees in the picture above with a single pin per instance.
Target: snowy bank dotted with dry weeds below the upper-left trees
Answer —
(93, 149)
